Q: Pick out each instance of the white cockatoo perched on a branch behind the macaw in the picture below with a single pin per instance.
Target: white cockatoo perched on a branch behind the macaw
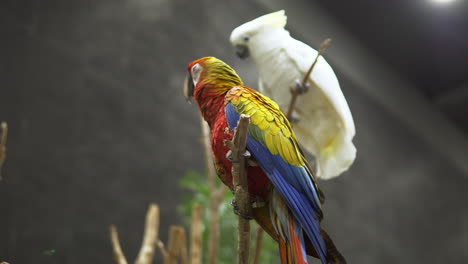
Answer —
(325, 127)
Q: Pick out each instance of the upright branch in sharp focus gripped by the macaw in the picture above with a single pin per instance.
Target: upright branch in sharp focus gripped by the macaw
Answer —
(242, 200)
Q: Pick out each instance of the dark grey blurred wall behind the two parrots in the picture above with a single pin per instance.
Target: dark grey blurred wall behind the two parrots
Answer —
(99, 127)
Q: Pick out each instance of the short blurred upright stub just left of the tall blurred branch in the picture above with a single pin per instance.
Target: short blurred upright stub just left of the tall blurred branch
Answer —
(196, 235)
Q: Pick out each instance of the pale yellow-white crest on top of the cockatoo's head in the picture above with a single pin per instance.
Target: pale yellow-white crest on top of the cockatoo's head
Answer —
(272, 20)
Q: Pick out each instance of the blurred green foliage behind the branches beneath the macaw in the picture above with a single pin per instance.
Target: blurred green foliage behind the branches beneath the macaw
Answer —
(197, 184)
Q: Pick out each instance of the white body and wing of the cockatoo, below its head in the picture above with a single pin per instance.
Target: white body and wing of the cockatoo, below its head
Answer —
(325, 127)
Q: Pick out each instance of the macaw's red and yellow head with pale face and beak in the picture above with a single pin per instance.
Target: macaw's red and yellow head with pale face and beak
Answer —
(209, 77)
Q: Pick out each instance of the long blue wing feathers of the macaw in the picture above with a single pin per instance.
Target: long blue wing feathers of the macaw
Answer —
(292, 182)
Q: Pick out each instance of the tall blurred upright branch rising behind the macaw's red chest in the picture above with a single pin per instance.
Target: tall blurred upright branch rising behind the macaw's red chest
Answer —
(216, 197)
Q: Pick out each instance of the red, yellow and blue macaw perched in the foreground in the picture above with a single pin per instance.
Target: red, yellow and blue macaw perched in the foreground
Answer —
(282, 179)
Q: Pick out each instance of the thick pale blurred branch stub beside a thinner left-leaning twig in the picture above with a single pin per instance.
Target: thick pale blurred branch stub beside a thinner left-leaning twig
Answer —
(150, 237)
